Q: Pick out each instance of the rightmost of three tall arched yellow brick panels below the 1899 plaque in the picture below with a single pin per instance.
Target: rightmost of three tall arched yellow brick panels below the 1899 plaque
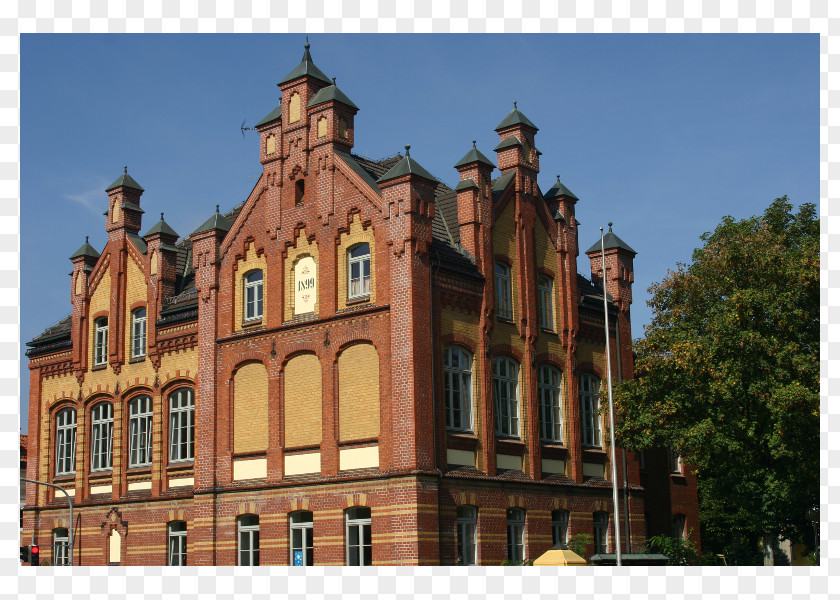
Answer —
(358, 393)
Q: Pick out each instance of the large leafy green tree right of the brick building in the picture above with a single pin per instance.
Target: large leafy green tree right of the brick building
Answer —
(728, 375)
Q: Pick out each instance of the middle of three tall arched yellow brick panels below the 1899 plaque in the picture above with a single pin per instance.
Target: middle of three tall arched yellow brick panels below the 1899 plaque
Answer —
(302, 401)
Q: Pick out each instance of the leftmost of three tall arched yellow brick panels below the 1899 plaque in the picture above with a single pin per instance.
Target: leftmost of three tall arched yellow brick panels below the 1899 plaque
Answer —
(250, 408)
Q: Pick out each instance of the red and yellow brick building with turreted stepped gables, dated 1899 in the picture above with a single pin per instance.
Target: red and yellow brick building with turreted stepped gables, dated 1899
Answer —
(356, 365)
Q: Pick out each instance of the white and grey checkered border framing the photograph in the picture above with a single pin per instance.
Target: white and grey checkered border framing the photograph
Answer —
(420, 16)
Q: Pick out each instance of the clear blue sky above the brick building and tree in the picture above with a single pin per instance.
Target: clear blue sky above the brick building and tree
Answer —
(661, 134)
